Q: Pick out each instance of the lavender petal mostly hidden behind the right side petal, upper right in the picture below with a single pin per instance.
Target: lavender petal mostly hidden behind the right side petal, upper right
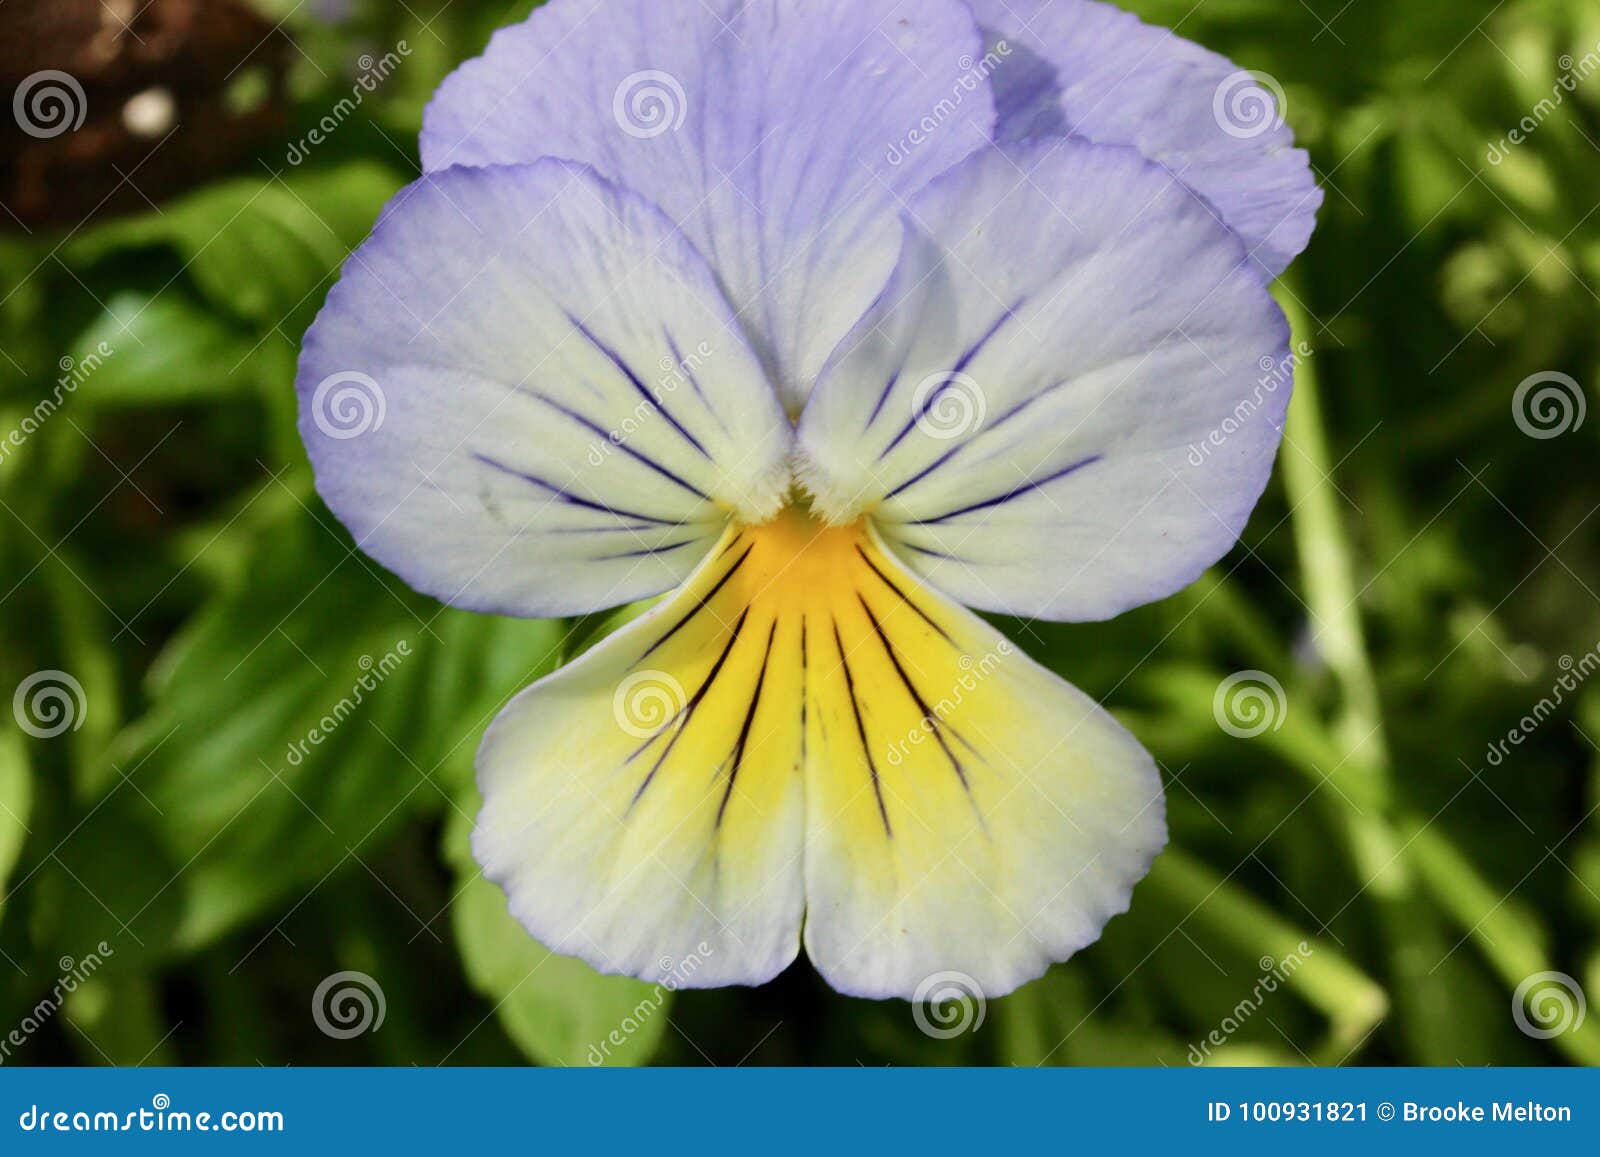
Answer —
(1095, 71)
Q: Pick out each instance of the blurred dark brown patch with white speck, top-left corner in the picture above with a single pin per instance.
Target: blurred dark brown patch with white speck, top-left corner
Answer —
(114, 105)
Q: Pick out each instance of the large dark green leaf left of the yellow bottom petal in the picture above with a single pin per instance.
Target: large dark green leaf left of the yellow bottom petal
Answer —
(305, 713)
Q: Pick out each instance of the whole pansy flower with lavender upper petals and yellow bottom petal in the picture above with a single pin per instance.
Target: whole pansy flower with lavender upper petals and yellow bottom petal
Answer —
(826, 321)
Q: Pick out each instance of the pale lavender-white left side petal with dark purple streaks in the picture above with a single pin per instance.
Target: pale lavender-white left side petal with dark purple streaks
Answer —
(527, 396)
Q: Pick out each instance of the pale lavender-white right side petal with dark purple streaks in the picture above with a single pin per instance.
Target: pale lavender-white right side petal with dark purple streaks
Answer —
(1060, 406)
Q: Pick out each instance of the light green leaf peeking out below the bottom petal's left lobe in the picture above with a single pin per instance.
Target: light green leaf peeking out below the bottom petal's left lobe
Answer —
(556, 1009)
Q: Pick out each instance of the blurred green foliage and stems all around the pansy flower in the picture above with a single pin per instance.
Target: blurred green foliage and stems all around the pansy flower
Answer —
(1412, 582)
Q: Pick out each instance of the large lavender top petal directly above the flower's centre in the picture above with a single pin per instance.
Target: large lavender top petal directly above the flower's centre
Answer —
(780, 135)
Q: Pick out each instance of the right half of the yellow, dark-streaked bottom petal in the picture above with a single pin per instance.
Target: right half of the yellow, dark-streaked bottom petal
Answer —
(1009, 815)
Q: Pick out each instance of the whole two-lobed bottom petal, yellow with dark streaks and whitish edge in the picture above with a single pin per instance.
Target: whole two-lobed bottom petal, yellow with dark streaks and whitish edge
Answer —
(802, 732)
